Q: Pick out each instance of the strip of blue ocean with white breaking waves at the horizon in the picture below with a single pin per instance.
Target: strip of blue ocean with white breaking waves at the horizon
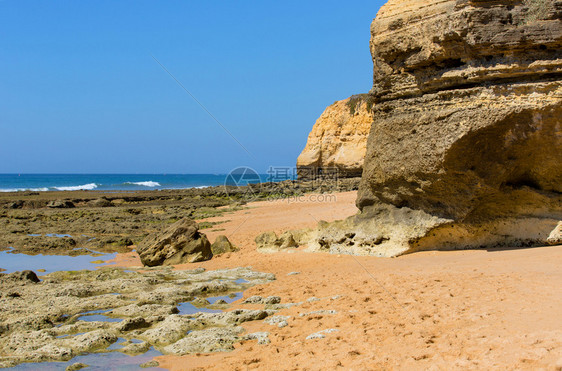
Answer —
(109, 182)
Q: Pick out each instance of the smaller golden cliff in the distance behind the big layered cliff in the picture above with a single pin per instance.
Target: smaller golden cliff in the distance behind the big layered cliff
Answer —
(338, 139)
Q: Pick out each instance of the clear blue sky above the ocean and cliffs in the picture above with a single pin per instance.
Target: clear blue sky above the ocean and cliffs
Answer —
(80, 92)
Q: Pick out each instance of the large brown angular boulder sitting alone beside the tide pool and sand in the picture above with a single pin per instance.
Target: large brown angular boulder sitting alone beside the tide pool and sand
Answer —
(179, 243)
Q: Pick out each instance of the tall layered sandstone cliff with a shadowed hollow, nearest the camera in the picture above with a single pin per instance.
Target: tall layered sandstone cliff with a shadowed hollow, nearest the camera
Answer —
(466, 145)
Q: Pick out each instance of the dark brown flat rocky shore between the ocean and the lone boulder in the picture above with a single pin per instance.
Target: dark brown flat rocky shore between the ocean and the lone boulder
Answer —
(112, 221)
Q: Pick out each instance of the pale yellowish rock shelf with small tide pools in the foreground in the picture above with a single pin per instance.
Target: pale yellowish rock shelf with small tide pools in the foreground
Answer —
(48, 320)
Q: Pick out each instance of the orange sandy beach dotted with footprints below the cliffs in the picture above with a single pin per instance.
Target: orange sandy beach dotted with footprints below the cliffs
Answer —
(472, 309)
